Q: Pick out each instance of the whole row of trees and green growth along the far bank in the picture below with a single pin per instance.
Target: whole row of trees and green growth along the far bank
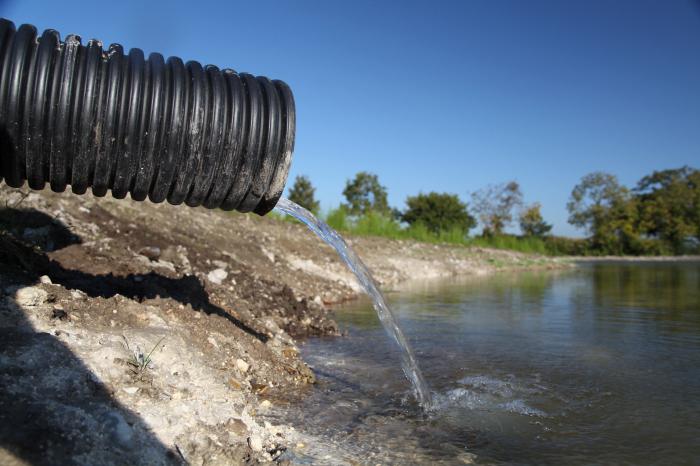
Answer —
(660, 215)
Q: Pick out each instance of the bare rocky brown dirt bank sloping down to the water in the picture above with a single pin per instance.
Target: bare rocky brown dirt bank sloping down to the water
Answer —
(91, 289)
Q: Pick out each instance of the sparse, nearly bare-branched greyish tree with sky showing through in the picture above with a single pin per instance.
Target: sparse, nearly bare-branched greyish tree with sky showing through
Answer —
(495, 204)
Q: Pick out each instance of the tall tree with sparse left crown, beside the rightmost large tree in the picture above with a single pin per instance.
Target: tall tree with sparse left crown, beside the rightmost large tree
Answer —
(607, 211)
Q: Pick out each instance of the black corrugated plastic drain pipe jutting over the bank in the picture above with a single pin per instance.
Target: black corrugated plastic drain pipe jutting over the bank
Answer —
(77, 115)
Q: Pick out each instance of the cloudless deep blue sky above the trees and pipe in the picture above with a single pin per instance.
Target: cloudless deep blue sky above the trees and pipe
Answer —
(443, 96)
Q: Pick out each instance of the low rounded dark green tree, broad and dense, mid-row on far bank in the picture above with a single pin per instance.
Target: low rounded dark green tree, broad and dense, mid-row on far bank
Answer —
(438, 212)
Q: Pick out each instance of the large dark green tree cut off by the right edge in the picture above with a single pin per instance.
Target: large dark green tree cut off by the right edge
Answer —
(669, 205)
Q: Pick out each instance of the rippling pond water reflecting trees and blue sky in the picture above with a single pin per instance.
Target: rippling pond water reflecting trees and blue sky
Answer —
(599, 364)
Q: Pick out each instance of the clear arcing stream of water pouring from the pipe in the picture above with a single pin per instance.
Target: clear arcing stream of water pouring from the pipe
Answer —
(386, 317)
